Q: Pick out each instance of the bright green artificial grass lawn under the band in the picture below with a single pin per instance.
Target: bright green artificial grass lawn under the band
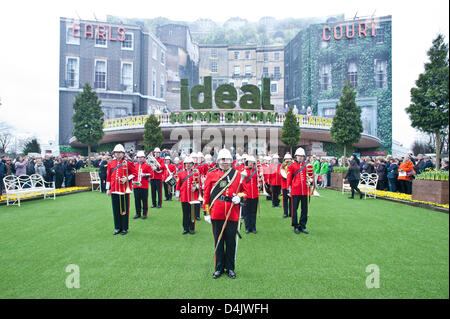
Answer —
(41, 238)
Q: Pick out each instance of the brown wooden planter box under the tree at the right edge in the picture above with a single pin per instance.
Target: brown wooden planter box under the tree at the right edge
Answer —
(430, 191)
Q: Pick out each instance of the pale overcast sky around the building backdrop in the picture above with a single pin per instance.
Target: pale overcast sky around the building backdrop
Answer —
(29, 51)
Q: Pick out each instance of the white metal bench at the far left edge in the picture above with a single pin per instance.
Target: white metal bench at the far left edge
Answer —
(25, 186)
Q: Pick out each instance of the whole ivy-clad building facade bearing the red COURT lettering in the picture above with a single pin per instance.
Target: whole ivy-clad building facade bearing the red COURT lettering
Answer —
(322, 57)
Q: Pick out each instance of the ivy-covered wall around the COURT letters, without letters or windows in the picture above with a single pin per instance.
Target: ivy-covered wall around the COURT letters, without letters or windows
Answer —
(338, 53)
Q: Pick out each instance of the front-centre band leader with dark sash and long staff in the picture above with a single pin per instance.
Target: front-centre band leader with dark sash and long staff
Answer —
(222, 196)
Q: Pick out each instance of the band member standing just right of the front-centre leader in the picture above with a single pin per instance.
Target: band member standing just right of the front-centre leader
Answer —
(250, 187)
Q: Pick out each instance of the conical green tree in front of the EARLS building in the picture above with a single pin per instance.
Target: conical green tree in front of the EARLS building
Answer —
(88, 118)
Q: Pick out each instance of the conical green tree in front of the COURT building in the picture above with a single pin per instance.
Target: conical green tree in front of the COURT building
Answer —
(347, 125)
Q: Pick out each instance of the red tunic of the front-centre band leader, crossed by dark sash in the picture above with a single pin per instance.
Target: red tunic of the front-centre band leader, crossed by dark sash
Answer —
(220, 208)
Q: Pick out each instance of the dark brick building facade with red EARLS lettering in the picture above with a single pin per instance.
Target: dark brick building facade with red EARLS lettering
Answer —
(124, 64)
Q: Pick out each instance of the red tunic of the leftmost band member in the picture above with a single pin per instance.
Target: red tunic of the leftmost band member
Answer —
(116, 170)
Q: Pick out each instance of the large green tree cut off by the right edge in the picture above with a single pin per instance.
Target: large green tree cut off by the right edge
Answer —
(428, 110)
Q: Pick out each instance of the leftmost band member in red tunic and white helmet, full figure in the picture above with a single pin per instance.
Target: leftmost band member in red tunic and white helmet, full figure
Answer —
(119, 173)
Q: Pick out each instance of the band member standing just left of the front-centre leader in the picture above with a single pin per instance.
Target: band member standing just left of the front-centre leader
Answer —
(187, 191)
